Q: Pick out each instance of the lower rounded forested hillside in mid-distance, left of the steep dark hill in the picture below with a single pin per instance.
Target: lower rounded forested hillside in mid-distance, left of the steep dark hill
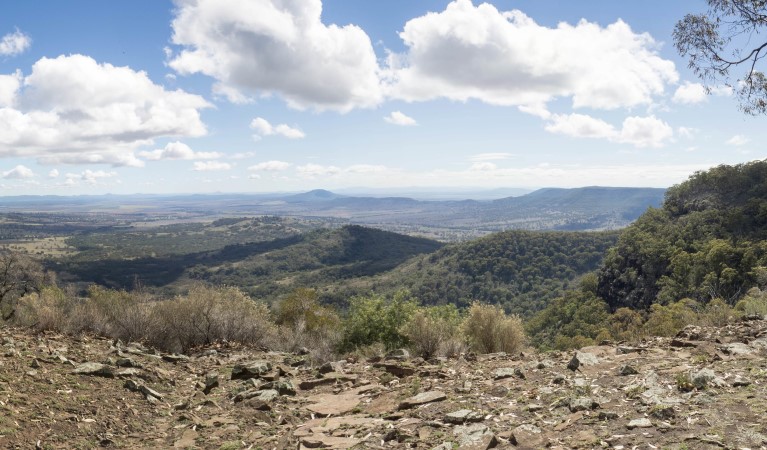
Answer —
(520, 270)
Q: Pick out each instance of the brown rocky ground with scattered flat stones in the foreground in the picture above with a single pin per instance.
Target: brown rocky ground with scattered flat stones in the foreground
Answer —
(706, 388)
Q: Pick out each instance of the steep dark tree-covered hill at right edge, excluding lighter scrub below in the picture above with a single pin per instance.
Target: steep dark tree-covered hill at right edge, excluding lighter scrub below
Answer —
(706, 242)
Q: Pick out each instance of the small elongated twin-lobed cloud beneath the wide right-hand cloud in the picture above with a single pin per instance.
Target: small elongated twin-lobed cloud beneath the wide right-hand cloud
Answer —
(637, 131)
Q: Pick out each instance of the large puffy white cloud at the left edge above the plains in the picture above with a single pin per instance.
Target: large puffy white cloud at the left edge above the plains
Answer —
(73, 110)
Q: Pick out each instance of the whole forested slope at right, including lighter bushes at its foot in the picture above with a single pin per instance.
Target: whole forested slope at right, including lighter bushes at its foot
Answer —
(699, 259)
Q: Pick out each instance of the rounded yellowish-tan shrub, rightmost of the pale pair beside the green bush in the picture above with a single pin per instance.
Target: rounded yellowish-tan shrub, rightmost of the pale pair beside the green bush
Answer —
(488, 329)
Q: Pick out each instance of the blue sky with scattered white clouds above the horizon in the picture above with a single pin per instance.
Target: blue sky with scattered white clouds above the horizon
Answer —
(199, 96)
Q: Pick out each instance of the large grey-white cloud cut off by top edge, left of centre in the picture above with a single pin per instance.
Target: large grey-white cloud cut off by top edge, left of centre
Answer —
(276, 46)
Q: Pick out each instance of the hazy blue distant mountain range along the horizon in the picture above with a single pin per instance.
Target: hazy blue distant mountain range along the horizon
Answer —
(587, 208)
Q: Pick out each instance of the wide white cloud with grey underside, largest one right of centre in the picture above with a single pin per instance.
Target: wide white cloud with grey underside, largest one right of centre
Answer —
(505, 58)
